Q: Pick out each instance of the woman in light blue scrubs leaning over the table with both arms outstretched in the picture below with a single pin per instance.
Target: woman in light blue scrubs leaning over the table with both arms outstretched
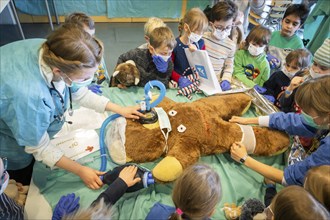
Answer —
(39, 79)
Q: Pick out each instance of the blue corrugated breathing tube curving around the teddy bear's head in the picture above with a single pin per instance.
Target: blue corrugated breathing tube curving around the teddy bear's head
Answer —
(149, 106)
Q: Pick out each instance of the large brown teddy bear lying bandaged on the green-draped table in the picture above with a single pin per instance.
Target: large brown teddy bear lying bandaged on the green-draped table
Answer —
(198, 128)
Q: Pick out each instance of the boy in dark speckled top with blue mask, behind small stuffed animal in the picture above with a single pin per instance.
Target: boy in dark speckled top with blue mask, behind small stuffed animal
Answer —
(153, 63)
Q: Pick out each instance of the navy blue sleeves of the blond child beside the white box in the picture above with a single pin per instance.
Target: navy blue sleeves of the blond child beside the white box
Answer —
(180, 60)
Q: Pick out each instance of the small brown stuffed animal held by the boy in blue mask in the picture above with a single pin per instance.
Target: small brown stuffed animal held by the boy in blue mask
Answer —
(125, 75)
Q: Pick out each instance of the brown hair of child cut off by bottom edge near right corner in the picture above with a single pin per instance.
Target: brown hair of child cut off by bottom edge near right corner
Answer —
(294, 202)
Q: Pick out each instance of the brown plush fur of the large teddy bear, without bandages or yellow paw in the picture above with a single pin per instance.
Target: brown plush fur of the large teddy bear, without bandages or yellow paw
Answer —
(208, 131)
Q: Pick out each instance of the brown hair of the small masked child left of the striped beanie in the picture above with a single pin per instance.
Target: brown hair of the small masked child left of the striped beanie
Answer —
(301, 57)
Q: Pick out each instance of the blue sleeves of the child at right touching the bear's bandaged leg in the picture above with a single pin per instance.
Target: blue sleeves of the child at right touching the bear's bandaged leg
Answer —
(294, 125)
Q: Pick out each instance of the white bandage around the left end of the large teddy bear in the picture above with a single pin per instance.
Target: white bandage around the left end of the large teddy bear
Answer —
(115, 140)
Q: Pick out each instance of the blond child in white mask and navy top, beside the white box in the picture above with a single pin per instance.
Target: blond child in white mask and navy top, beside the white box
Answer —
(192, 27)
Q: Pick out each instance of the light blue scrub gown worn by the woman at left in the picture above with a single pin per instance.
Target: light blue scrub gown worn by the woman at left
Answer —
(28, 107)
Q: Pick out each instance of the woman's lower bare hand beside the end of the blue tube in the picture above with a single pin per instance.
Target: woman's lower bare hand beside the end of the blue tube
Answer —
(91, 177)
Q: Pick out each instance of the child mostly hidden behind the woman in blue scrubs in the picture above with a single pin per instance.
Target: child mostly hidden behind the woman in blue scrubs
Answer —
(86, 23)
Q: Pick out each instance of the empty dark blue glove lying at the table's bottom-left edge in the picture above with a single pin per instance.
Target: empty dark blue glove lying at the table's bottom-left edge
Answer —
(66, 205)
